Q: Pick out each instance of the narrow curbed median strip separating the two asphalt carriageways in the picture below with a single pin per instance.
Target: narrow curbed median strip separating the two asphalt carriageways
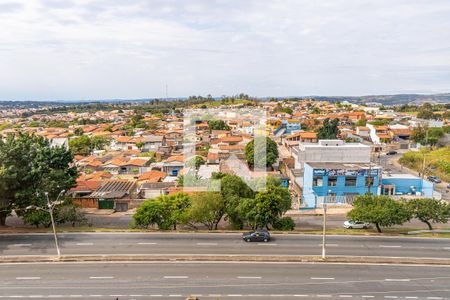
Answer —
(226, 258)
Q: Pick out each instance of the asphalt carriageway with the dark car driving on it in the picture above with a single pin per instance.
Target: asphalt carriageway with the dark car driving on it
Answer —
(221, 243)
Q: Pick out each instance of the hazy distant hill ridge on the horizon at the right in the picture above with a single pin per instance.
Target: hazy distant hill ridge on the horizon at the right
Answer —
(390, 99)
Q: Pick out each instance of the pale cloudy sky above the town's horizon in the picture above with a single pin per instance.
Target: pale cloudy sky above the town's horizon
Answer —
(111, 49)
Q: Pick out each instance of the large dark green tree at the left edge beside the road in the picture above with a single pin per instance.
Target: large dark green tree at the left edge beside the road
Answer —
(29, 166)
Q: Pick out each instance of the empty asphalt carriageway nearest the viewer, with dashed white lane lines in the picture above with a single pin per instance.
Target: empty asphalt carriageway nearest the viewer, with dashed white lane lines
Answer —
(222, 281)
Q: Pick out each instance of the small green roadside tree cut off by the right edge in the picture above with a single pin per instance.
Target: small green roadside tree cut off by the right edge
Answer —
(429, 210)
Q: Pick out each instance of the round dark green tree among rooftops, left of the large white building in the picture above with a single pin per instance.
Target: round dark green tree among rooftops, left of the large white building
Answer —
(270, 153)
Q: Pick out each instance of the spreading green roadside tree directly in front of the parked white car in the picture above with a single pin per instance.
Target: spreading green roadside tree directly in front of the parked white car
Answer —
(382, 211)
